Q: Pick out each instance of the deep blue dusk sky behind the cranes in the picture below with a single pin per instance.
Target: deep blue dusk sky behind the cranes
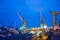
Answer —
(29, 10)
